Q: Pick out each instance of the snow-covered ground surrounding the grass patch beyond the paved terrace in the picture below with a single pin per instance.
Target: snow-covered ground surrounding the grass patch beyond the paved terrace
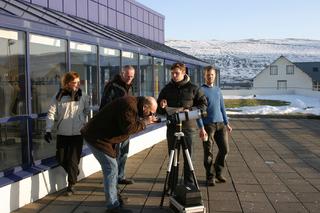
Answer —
(299, 104)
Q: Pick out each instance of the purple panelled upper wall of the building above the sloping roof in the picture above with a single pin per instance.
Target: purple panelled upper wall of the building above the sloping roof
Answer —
(125, 15)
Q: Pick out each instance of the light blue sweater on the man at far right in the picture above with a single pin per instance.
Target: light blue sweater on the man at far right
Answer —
(216, 111)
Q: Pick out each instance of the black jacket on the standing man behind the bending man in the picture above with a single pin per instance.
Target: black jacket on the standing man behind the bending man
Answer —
(114, 89)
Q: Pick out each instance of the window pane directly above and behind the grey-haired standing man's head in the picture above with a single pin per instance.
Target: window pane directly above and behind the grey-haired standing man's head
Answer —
(130, 58)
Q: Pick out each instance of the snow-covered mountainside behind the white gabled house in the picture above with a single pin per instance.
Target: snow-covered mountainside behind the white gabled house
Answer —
(240, 61)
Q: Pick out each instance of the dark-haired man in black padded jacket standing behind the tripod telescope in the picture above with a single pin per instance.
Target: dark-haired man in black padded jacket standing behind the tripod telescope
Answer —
(181, 93)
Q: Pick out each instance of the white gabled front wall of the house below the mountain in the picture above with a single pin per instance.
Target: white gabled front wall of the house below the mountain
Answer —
(299, 79)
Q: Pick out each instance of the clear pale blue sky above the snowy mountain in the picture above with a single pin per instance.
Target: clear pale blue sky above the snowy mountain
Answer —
(238, 19)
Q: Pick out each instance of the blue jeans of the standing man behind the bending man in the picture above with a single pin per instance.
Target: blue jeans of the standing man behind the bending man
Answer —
(123, 149)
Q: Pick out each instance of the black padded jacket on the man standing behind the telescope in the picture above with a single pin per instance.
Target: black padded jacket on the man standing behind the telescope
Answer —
(183, 94)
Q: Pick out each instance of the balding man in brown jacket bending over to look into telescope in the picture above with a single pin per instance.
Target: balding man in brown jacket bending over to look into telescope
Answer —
(113, 124)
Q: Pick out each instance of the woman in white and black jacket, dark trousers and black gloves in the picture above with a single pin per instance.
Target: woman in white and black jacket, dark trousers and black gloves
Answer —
(68, 110)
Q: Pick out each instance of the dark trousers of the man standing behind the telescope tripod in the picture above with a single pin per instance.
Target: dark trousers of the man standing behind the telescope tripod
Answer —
(188, 136)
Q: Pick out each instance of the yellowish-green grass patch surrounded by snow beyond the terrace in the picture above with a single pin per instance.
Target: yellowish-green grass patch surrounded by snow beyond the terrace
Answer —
(234, 103)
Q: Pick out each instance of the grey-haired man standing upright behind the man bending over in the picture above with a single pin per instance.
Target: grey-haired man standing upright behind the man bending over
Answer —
(119, 86)
